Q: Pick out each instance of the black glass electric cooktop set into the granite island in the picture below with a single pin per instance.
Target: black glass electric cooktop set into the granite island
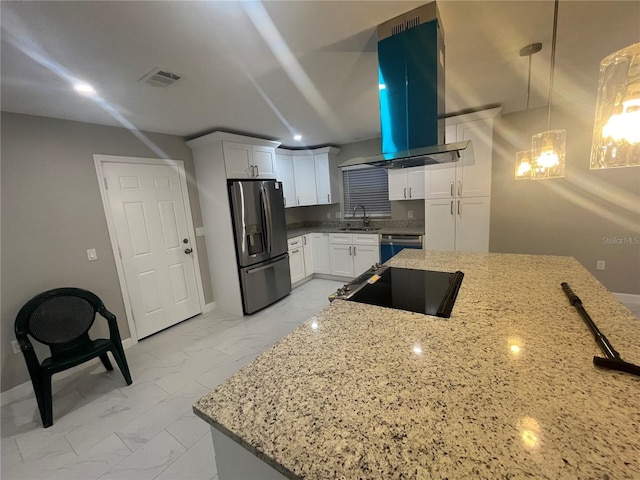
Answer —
(421, 291)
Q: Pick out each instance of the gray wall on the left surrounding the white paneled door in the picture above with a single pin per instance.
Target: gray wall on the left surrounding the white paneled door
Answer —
(52, 213)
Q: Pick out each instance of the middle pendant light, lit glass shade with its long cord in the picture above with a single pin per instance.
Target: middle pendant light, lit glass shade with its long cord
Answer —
(549, 147)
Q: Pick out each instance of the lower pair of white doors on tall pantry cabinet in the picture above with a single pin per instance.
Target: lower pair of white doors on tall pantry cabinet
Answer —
(458, 224)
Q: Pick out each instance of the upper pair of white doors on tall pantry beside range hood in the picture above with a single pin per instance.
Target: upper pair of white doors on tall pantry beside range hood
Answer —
(471, 175)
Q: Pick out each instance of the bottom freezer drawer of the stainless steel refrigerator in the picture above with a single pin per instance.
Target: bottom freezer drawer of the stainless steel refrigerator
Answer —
(265, 283)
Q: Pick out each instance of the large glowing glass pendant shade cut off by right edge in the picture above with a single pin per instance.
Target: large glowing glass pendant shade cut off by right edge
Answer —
(616, 129)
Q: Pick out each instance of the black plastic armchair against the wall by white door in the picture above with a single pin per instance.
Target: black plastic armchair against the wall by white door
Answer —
(61, 319)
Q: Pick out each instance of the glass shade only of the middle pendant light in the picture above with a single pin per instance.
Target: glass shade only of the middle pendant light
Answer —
(548, 152)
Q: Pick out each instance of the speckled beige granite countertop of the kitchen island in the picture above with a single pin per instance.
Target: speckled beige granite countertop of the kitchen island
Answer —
(505, 388)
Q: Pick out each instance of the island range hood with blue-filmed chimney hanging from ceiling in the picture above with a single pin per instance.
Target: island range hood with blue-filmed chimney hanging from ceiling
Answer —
(411, 86)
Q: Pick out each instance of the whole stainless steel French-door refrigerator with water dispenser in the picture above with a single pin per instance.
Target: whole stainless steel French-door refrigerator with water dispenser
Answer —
(260, 232)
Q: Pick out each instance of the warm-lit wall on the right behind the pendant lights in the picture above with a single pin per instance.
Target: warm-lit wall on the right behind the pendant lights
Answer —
(589, 214)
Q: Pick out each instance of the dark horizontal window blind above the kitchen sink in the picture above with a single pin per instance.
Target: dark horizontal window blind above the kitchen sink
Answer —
(368, 186)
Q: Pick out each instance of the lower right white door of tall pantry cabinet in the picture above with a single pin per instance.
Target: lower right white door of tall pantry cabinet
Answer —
(472, 224)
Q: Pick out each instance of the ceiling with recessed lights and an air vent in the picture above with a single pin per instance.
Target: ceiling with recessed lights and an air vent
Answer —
(273, 69)
